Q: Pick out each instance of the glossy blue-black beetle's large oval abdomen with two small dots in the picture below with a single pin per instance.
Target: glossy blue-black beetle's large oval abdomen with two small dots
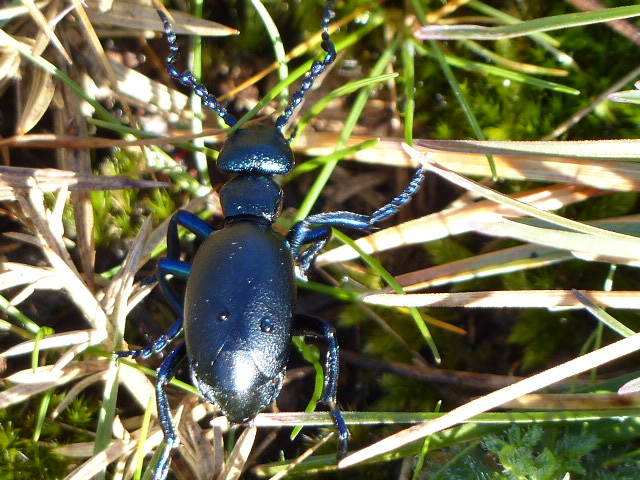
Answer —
(238, 314)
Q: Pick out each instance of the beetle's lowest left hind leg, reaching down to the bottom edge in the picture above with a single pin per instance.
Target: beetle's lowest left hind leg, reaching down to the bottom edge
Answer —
(166, 372)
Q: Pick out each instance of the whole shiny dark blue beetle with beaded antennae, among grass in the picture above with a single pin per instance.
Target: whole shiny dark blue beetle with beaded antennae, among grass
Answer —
(238, 314)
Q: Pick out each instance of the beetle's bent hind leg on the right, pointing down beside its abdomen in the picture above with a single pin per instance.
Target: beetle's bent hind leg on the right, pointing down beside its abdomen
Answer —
(316, 327)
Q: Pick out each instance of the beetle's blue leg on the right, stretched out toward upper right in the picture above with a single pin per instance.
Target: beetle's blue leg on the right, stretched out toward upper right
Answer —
(315, 230)
